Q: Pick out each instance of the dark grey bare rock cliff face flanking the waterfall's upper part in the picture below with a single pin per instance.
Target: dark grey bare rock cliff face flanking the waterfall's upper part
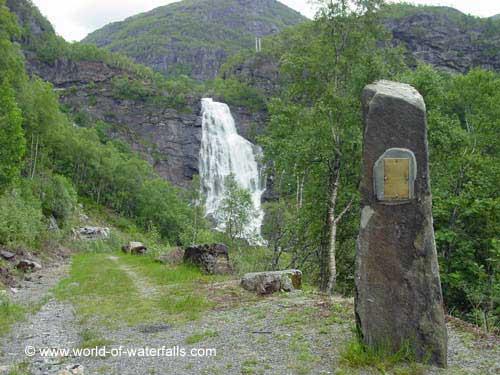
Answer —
(168, 138)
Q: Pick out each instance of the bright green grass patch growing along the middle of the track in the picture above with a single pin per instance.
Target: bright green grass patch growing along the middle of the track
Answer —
(104, 293)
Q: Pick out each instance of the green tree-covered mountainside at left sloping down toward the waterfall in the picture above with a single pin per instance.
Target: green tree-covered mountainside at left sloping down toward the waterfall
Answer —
(51, 160)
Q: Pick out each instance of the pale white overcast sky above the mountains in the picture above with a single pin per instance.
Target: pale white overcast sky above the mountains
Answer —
(74, 19)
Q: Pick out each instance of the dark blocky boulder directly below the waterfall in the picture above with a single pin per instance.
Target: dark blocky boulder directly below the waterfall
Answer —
(212, 259)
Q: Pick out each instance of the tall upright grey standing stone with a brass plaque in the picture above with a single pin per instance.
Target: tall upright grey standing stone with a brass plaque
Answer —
(398, 290)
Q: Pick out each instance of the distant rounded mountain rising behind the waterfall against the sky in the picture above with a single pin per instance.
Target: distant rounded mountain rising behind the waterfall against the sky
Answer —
(195, 37)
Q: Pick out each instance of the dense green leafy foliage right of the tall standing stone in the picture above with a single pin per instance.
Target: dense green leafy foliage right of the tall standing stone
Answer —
(464, 117)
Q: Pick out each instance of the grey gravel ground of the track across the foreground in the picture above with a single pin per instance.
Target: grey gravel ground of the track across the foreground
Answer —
(297, 333)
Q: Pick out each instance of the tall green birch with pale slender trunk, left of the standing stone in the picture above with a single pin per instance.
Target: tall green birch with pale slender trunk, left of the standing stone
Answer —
(313, 142)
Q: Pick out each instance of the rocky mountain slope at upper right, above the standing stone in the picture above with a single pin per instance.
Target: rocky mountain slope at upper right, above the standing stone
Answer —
(444, 37)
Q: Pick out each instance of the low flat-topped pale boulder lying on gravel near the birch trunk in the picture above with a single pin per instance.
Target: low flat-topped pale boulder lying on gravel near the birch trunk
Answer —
(272, 281)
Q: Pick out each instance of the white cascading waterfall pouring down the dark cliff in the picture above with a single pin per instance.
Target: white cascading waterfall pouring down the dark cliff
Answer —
(224, 152)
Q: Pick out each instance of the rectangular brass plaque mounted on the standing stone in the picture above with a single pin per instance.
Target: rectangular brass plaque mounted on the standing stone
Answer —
(396, 184)
